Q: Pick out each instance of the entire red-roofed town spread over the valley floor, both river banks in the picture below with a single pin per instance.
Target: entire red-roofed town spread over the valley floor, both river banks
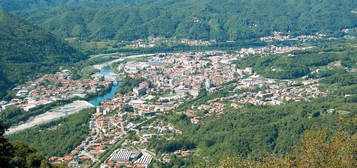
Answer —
(123, 125)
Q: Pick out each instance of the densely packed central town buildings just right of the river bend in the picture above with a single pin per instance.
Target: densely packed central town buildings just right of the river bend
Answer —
(183, 73)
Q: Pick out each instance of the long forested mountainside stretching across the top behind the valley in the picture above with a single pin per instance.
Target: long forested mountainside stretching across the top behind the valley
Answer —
(195, 19)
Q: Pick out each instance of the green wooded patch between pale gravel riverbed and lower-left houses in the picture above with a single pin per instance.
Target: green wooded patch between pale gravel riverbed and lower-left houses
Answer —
(48, 138)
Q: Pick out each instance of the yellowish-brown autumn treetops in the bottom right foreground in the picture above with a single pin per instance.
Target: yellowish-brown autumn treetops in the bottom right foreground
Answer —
(319, 148)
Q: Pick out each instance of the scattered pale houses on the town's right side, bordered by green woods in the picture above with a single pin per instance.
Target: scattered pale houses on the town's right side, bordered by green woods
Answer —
(270, 92)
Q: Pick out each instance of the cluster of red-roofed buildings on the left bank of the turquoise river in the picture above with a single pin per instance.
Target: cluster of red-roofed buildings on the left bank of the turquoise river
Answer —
(53, 87)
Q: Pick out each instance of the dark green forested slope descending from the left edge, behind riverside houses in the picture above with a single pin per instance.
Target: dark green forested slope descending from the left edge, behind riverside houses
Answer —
(26, 50)
